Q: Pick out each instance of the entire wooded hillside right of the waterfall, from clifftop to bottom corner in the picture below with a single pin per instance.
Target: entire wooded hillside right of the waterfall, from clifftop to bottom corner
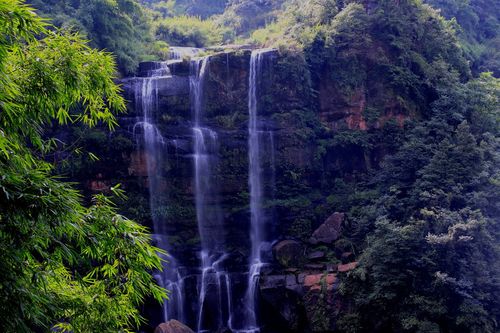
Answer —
(427, 222)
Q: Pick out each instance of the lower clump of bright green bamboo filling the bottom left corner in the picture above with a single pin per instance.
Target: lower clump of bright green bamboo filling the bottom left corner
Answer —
(61, 260)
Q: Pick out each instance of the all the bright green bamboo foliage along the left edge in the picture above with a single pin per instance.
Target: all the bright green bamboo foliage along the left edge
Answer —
(63, 266)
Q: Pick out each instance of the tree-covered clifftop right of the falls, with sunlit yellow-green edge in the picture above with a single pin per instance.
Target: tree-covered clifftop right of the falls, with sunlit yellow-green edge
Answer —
(395, 50)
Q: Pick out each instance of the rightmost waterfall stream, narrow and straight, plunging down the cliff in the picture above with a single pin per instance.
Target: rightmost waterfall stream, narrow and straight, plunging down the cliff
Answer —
(255, 183)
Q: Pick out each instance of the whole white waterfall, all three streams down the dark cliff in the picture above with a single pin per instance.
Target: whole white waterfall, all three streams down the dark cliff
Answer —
(205, 295)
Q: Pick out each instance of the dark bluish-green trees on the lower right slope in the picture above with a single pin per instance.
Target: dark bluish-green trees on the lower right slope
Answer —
(428, 259)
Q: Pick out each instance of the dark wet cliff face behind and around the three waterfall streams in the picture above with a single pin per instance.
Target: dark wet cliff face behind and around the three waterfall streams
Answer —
(313, 139)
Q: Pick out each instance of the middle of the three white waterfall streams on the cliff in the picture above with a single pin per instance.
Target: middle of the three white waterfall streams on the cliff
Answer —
(208, 213)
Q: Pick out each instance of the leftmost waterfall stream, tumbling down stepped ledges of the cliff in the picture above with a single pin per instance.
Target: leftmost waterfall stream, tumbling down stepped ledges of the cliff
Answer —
(146, 96)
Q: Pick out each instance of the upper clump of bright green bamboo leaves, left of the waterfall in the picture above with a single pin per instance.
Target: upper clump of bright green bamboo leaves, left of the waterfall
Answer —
(66, 72)
